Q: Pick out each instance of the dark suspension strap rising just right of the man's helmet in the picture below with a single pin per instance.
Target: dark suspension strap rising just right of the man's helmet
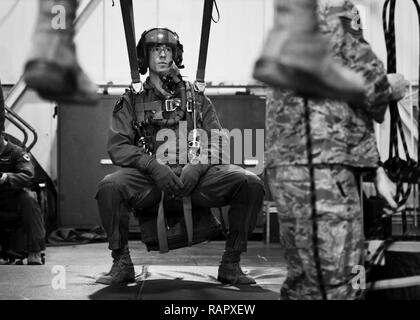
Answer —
(204, 42)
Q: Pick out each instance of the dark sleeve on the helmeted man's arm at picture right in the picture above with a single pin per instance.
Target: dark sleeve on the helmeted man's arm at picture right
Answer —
(218, 138)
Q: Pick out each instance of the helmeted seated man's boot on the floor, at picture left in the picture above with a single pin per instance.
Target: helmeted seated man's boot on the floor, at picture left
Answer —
(122, 270)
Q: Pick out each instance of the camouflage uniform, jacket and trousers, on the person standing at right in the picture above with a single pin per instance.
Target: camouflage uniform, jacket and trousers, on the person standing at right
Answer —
(343, 143)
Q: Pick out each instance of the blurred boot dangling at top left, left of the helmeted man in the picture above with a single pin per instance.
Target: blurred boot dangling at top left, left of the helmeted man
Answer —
(52, 69)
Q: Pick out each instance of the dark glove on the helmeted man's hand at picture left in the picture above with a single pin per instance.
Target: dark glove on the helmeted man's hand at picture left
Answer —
(165, 178)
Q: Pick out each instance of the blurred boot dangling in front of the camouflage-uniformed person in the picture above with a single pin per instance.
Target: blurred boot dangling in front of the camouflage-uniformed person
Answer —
(296, 56)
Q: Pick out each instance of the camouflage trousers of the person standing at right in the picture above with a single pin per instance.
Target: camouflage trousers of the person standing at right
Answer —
(340, 230)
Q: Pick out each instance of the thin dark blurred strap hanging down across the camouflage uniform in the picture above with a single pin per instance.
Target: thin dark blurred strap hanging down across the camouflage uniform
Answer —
(313, 200)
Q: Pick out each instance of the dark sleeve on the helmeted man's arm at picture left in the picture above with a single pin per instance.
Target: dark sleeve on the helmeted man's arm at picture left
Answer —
(121, 139)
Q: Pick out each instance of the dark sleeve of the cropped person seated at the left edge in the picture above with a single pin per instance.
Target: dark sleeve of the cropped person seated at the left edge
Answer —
(24, 171)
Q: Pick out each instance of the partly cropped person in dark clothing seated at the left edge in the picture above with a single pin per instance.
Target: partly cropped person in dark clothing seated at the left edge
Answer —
(16, 174)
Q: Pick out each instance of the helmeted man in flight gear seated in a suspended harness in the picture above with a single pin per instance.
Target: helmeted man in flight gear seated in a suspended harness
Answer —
(134, 142)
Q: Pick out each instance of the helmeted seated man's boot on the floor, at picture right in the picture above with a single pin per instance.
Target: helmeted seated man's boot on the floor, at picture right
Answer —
(230, 271)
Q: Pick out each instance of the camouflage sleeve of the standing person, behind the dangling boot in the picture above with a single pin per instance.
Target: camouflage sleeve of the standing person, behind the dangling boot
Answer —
(346, 30)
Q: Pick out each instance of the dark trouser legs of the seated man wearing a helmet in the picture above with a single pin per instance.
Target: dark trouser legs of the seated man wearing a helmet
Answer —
(220, 186)
